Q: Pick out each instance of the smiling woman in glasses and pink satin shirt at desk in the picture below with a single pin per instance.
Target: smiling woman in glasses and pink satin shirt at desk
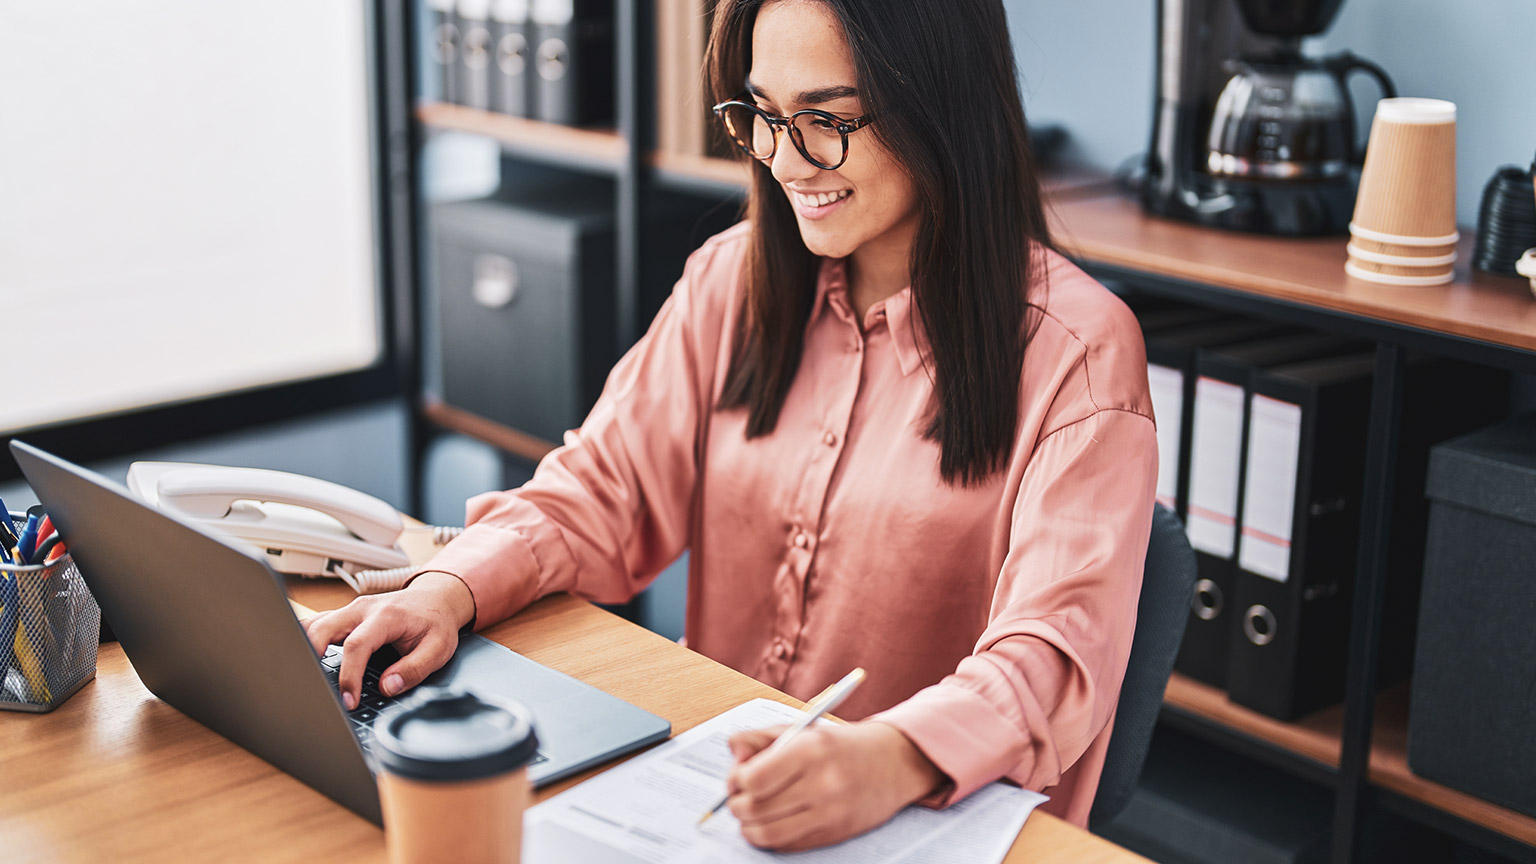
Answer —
(890, 424)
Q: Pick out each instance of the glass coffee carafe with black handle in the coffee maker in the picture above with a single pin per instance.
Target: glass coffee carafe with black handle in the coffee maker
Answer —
(1288, 119)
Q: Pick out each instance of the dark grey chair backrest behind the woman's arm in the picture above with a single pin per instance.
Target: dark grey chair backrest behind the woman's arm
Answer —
(1167, 587)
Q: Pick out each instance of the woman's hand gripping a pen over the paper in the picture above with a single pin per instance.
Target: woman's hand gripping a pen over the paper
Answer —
(826, 785)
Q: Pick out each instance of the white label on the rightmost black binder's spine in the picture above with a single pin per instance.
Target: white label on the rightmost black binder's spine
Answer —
(1270, 500)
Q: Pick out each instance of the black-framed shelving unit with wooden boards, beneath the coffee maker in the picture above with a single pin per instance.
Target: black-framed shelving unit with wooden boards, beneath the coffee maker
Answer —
(1359, 748)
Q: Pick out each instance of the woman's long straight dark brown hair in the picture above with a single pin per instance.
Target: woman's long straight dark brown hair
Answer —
(942, 84)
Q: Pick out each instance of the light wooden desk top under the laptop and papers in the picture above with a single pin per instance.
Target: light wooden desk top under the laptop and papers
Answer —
(116, 774)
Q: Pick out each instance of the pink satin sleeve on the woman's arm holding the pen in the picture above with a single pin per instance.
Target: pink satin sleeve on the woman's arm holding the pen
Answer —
(1045, 676)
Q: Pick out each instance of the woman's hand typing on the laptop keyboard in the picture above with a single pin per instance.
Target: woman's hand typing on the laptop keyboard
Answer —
(422, 622)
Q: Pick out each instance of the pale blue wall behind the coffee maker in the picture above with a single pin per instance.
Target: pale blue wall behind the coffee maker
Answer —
(1090, 67)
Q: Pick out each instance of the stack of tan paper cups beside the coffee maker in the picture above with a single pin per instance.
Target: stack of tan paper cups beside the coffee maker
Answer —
(1405, 227)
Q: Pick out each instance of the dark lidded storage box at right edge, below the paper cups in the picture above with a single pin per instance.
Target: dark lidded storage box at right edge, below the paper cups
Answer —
(1472, 720)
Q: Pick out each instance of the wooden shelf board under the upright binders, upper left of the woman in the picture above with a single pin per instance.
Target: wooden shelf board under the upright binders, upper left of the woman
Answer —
(552, 142)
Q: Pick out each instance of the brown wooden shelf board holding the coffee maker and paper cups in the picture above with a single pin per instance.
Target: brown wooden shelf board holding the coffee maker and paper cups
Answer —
(1113, 230)
